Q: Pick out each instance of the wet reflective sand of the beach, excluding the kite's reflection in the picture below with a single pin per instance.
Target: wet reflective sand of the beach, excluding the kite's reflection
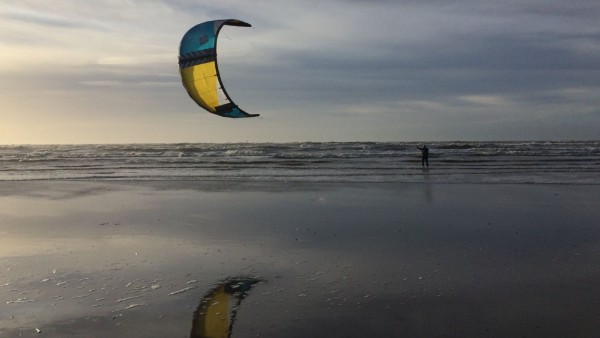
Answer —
(134, 259)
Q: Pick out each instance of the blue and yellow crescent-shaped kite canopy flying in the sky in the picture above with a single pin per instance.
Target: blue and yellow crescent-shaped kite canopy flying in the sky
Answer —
(199, 70)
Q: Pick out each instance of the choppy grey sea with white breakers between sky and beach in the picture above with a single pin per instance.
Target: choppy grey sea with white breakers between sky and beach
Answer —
(539, 162)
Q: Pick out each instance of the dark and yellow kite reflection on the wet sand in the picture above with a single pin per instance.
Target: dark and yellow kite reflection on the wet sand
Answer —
(215, 315)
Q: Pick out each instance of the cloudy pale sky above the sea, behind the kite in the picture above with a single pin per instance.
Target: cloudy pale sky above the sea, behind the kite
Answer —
(105, 71)
